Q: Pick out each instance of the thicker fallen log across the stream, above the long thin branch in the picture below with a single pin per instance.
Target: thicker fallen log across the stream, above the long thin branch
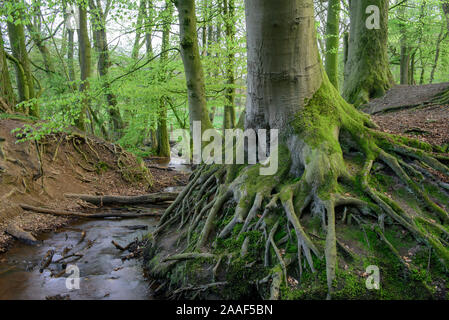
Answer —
(143, 199)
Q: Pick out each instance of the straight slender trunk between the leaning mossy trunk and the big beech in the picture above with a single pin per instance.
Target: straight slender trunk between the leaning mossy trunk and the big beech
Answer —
(229, 109)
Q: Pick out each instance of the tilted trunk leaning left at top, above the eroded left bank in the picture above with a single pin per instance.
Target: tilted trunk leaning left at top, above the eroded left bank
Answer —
(101, 46)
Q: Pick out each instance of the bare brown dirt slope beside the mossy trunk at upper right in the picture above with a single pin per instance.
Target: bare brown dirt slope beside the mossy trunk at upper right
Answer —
(402, 96)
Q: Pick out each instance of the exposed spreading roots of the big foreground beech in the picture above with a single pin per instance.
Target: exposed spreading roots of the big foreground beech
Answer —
(310, 182)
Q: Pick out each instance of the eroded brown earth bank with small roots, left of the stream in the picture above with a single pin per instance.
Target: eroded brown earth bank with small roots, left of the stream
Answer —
(69, 163)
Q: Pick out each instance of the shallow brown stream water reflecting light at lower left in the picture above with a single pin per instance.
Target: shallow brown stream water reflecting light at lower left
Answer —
(102, 272)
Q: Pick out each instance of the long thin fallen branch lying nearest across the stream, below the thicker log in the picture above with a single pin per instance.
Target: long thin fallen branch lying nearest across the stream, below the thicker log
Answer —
(88, 216)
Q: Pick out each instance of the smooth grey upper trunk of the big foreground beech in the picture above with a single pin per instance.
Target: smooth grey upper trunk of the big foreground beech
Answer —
(287, 28)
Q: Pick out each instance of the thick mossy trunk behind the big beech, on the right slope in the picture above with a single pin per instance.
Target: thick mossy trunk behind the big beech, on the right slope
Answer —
(367, 72)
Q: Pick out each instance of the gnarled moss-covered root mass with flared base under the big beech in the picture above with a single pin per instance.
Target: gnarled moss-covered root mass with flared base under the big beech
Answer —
(231, 219)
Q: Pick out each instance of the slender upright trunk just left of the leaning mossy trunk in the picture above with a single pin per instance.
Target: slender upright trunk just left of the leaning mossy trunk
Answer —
(163, 146)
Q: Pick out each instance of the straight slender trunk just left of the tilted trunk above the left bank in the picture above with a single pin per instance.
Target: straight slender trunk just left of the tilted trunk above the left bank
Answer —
(85, 66)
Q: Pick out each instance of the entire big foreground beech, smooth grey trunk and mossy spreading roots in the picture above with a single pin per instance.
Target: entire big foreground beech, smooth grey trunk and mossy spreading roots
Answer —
(289, 90)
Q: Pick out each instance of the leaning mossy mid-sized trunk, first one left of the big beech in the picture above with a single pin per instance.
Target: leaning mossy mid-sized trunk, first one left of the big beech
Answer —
(196, 89)
